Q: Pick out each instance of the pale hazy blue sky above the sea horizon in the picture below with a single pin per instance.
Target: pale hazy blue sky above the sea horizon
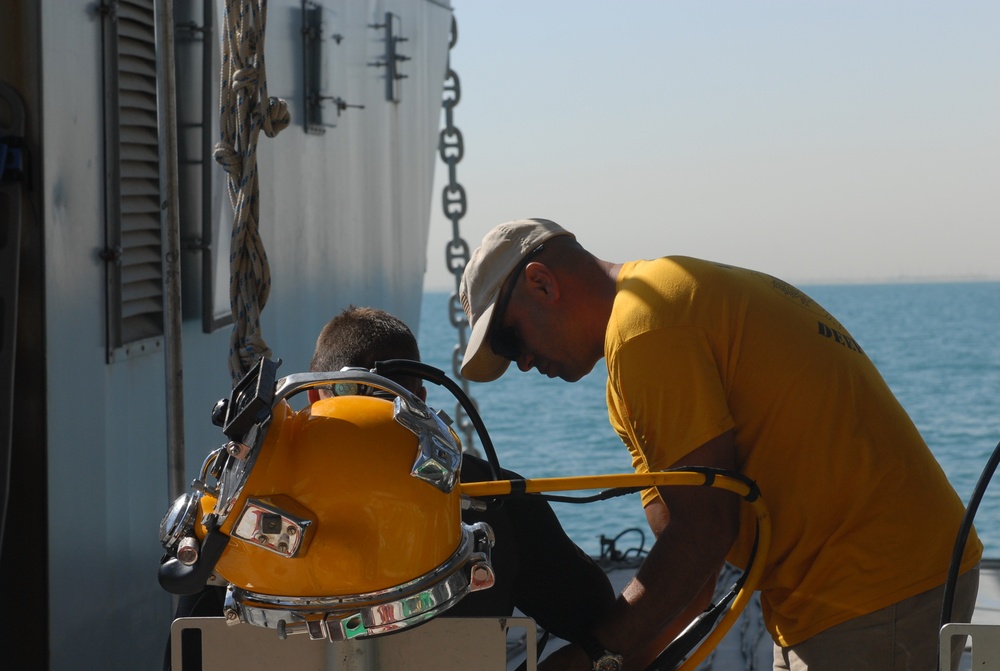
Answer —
(814, 140)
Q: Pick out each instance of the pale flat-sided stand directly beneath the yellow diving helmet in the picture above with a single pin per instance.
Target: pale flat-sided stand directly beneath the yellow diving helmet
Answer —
(442, 644)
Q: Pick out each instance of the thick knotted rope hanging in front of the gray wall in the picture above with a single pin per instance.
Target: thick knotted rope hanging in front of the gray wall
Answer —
(245, 109)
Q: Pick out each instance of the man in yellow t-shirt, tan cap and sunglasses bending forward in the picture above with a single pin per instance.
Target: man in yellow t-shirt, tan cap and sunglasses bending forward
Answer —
(712, 365)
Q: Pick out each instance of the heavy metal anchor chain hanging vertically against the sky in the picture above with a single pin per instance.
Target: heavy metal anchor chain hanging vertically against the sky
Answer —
(451, 149)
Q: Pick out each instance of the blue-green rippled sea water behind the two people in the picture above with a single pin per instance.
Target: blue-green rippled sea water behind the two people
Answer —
(937, 346)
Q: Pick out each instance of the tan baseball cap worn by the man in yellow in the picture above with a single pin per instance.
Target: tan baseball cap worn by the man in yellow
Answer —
(503, 248)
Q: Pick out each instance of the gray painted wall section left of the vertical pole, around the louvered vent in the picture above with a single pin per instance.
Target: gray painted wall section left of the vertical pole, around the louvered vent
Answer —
(106, 422)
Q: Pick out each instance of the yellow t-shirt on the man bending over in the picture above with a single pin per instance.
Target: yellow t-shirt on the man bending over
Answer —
(862, 514)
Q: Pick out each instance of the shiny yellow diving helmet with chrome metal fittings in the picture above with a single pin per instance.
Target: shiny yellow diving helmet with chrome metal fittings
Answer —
(341, 520)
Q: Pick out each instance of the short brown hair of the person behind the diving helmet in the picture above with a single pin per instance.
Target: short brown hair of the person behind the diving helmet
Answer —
(358, 337)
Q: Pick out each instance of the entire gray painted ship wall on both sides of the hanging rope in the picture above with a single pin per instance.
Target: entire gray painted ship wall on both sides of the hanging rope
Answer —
(344, 219)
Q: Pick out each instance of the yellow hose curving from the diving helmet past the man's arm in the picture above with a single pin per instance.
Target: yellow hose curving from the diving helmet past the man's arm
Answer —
(698, 477)
